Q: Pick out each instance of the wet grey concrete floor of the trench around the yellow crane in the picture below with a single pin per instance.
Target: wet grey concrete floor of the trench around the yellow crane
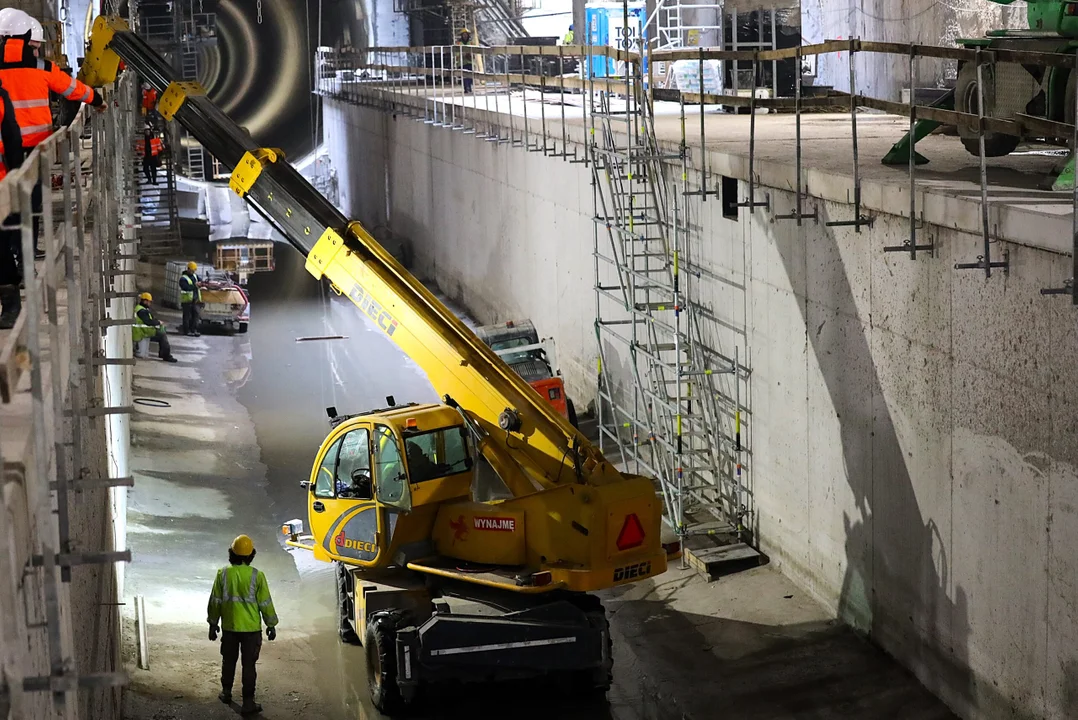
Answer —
(246, 417)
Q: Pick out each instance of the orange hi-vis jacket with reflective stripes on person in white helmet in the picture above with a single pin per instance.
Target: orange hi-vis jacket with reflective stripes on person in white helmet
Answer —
(29, 80)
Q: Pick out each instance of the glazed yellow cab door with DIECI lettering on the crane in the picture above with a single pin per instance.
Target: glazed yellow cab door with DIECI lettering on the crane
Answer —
(342, 510)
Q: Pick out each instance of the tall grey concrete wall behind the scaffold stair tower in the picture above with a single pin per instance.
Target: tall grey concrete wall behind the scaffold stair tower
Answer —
(913, 427)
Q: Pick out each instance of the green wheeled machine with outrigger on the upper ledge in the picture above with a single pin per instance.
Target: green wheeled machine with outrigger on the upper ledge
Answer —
(1010, 88)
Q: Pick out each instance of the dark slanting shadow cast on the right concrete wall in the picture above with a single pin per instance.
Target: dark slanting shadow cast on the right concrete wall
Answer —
(891, 547)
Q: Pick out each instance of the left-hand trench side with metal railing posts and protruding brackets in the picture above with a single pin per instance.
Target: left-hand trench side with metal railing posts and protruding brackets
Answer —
(63, 372)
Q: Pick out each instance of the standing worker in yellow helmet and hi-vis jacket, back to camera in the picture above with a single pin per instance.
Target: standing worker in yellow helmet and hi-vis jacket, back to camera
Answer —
(240, 602)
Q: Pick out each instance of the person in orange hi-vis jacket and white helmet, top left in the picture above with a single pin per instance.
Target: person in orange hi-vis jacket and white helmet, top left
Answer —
(29, 81)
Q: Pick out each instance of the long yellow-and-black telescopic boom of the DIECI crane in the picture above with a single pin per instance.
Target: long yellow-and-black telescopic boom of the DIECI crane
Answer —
(540, 444)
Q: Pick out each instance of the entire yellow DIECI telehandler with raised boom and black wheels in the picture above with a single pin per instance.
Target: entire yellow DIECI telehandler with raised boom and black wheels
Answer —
(437, 585)
